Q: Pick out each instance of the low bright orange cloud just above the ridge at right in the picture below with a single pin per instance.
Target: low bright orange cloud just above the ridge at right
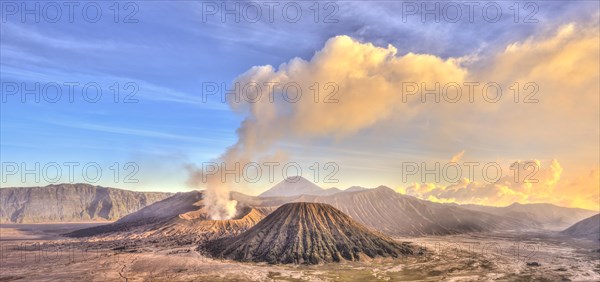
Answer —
(527, 182)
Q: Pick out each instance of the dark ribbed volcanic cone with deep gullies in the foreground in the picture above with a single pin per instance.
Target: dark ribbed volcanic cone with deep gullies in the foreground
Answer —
(309, 233)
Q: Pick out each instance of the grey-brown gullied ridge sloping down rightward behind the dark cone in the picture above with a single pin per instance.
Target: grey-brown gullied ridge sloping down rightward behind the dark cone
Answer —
(400, 215)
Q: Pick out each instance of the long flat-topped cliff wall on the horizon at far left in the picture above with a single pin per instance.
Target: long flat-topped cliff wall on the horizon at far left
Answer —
(71, 203)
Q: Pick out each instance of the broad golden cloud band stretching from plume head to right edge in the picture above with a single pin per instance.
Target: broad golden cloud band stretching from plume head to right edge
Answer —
(368, 82)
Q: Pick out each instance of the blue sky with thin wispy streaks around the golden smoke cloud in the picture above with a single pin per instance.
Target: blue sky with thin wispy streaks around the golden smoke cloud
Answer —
(170, 52)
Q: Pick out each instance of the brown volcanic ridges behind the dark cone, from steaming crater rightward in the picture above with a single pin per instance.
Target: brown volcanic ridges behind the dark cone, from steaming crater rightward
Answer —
(381, 209)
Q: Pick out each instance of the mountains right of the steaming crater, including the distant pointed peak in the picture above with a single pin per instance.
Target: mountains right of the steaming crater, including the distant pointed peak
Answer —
(422, 217)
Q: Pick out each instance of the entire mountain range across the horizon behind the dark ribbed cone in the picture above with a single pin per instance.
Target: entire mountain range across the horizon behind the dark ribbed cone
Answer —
(381, 209)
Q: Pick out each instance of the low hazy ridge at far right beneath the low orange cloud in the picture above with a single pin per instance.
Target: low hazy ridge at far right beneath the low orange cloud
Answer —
(548, 216)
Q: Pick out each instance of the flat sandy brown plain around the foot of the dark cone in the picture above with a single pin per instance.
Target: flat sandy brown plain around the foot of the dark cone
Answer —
(39, 253)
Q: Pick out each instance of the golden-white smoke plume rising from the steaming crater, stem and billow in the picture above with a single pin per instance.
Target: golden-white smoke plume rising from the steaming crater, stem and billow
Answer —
(364, 79)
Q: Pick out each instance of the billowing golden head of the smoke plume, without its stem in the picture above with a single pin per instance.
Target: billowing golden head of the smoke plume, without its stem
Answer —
(366, 81)
